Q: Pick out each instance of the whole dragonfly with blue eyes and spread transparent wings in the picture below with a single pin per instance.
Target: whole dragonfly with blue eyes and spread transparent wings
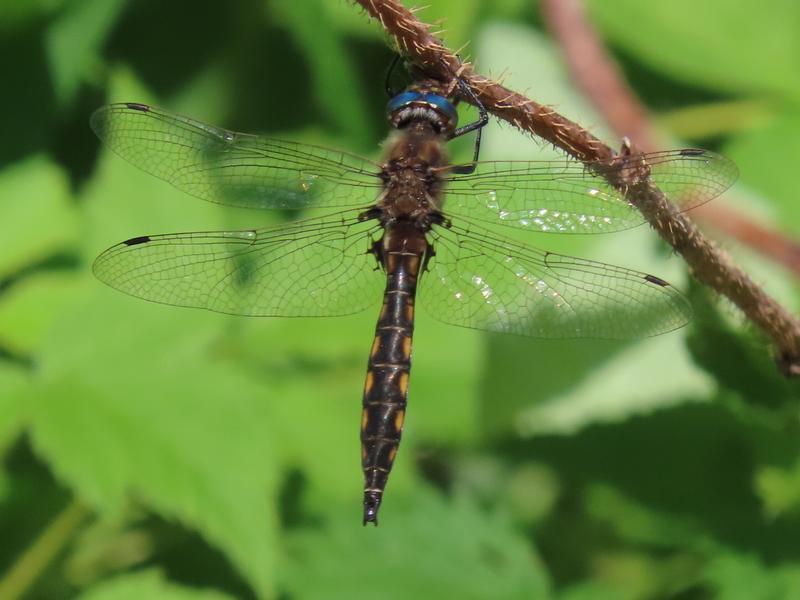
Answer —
(412, 226)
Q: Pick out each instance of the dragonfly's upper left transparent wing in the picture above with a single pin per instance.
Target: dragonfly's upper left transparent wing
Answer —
(232, 168)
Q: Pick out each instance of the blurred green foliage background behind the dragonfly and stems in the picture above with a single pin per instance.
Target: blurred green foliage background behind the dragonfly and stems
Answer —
(157, 452)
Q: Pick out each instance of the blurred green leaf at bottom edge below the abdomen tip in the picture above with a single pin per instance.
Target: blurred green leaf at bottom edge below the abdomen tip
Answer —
(472, 554)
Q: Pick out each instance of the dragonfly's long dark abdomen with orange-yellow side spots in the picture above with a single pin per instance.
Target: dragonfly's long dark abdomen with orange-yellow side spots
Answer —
(403, 251)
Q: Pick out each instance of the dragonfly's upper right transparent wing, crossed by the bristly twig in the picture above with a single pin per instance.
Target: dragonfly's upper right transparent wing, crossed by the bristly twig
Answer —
(566, 196)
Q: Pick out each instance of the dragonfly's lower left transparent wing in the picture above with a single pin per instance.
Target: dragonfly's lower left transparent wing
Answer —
(314, 267)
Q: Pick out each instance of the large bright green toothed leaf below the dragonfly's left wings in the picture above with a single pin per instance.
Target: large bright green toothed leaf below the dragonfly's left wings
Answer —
(130, 403)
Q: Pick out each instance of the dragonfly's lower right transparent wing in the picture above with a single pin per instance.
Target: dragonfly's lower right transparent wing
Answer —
(479, 280)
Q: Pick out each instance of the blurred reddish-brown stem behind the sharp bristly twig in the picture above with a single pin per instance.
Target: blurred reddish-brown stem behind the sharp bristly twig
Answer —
(596, 73)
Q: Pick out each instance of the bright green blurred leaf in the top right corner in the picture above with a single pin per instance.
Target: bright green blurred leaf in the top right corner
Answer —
(715, 44)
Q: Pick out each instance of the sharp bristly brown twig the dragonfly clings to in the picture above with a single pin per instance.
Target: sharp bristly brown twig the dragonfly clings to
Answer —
(707, 263)
